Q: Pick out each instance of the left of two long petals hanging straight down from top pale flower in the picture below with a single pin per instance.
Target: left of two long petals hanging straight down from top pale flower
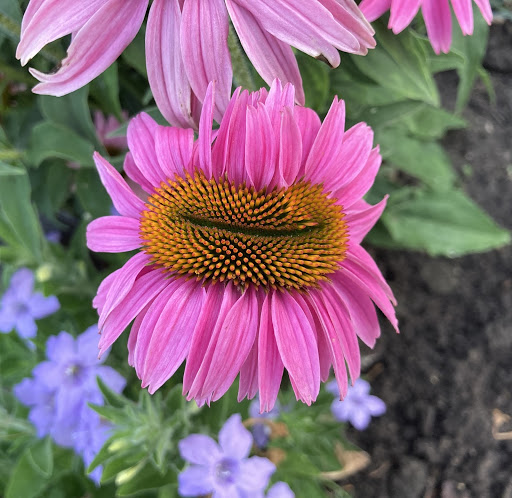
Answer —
(166, 70)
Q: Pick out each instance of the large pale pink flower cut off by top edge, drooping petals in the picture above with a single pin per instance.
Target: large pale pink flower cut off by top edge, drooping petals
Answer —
(186, 43)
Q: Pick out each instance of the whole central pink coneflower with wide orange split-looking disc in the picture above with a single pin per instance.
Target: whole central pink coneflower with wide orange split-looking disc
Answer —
(249, 258)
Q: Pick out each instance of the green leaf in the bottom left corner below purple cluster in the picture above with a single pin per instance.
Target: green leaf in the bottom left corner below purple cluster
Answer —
(32, 472)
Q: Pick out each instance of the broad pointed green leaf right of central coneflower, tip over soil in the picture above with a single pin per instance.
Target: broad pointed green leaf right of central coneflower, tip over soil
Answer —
(443, 224)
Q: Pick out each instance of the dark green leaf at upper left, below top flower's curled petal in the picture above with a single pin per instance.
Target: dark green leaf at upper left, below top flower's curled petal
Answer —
(54, 140)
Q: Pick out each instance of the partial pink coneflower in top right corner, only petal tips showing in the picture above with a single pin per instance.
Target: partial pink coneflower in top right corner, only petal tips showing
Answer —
(437, 15)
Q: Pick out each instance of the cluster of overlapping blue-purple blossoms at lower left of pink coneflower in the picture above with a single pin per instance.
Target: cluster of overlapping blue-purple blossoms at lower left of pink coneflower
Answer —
(60, 389)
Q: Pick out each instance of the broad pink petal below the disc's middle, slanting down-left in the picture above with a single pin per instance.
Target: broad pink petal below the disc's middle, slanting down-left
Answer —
(233, 343)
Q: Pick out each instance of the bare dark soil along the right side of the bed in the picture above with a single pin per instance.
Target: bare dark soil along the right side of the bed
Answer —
(450, 368)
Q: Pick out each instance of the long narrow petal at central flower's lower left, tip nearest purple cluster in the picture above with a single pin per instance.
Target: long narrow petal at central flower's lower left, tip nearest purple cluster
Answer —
(143, 291)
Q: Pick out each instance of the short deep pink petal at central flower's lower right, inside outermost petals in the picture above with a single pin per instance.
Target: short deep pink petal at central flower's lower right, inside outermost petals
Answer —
(360, 307)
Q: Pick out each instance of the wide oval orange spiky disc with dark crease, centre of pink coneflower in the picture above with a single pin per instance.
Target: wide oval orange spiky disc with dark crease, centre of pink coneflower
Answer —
(284, 238)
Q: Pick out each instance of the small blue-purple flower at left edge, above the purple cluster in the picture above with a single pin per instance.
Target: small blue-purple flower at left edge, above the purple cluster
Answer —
(21, 306)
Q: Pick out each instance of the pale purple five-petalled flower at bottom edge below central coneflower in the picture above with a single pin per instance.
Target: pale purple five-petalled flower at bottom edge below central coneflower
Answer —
(223, 469)
